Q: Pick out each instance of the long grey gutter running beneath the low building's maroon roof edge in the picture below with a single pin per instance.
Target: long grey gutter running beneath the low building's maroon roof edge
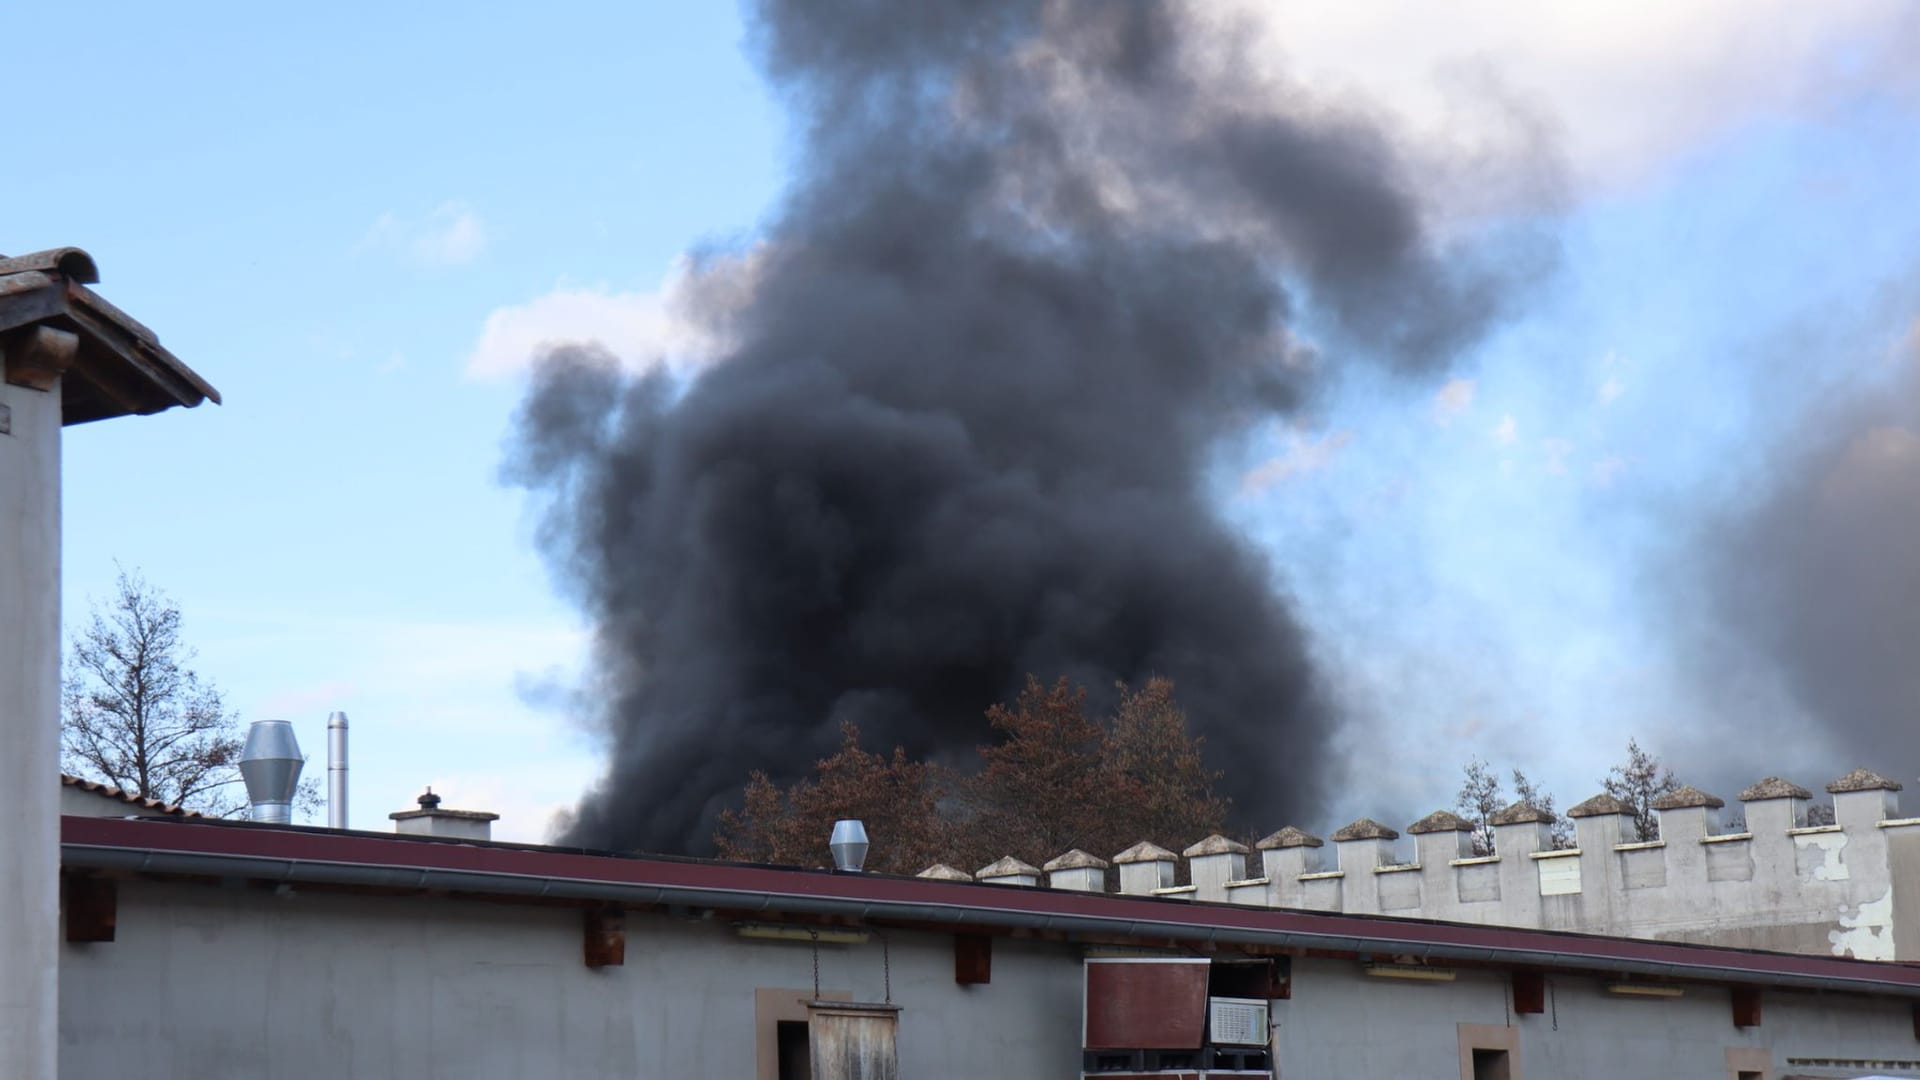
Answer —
(494, 883)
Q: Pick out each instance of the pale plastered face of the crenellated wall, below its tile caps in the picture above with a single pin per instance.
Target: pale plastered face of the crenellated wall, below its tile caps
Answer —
(1850, 889)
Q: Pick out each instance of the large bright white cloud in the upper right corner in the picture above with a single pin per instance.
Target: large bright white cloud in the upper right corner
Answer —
(1627, 87)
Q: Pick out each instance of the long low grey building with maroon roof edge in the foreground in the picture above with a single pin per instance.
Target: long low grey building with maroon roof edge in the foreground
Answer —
(199, 948)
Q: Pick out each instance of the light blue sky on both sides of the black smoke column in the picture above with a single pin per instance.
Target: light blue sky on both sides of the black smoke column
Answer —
(358, 222)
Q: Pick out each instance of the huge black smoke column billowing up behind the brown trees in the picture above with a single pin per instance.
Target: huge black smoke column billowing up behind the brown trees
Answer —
(1028, 278)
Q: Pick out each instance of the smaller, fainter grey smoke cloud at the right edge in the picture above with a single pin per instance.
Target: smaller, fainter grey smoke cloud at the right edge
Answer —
(1815, 583)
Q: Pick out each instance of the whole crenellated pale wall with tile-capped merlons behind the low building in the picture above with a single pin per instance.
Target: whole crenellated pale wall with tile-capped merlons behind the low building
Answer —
(1850, 889)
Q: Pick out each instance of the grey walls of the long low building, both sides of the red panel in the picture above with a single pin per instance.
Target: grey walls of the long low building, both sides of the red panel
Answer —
(210, 983)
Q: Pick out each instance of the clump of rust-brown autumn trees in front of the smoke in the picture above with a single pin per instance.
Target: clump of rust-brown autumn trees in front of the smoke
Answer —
(1053, 781)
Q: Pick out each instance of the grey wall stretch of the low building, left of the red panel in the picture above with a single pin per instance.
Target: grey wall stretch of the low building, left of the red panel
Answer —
(206, 983)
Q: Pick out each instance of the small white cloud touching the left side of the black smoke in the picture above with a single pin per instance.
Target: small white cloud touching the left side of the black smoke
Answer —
(683, 324)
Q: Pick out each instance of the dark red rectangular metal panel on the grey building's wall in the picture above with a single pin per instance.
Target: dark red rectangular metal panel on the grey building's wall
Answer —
(1149, 1004)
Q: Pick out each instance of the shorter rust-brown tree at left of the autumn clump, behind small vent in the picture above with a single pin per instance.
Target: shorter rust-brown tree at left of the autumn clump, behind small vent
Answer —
(896, 797)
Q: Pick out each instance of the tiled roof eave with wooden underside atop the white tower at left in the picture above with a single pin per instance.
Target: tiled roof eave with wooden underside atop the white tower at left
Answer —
(118, 366)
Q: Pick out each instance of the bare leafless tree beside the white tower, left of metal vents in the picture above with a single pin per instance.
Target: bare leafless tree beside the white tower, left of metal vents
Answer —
(145, 722)
